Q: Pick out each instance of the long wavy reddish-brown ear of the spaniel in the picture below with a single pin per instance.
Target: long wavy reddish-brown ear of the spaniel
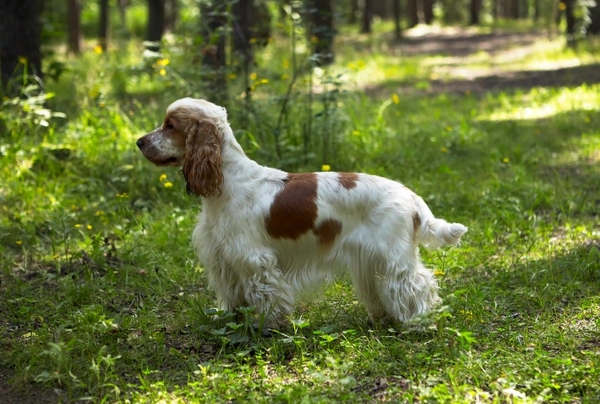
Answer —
(203, 160)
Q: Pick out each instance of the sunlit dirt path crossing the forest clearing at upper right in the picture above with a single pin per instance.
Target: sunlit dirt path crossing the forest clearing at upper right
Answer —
(460, 44)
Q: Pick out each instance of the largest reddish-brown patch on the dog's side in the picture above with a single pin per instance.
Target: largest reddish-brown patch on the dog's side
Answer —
(294, 209)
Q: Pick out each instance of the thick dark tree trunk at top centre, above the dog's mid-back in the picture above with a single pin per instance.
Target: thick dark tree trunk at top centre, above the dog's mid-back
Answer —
(322, 31)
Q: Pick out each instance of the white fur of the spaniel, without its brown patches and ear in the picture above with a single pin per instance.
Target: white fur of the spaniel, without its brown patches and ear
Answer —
(377, 244)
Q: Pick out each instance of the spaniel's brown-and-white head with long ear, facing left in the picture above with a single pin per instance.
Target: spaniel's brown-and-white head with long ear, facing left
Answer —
(190, 138)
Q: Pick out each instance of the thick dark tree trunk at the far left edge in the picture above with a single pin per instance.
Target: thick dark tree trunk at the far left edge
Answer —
(20, 39)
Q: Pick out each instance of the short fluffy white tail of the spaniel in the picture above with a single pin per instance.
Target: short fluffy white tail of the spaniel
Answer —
(433, 232)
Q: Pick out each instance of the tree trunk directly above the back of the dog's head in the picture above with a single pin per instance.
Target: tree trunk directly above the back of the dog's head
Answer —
(213, 20)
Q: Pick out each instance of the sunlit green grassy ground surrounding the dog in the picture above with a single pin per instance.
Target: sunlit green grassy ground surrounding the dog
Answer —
(102, 300)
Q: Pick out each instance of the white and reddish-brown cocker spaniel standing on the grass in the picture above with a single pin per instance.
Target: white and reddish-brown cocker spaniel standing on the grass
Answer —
(265, 236)
